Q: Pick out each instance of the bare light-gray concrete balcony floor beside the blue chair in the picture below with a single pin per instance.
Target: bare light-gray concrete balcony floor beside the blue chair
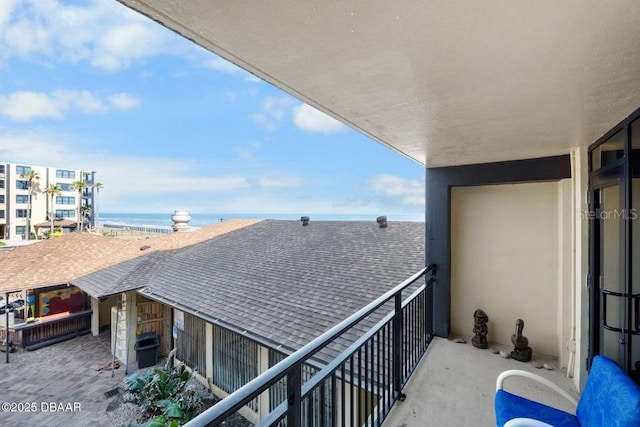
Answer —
(454, 385)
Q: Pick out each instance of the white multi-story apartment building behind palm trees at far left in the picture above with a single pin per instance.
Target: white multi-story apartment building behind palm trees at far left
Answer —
(15, 193)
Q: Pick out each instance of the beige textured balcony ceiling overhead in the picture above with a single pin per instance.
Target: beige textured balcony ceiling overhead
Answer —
(441, 82)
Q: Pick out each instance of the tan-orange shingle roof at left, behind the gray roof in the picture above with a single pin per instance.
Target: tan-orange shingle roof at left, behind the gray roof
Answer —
(63, 259)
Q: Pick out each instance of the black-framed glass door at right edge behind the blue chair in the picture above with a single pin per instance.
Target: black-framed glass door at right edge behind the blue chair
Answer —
(613, 161)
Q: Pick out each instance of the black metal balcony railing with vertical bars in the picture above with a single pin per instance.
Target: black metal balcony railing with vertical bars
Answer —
(360, 385)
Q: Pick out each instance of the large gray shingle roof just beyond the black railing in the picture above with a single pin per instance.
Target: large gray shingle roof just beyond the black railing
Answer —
(283, 283)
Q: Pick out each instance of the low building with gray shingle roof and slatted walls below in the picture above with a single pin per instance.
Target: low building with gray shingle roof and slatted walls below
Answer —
(240, 302)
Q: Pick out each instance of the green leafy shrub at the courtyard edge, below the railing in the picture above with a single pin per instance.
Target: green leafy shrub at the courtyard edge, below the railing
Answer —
(163, 396)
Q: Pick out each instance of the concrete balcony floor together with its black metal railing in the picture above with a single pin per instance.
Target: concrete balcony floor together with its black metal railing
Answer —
(395, 373)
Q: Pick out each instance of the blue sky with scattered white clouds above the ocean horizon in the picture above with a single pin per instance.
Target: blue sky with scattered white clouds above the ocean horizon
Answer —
(167, 125)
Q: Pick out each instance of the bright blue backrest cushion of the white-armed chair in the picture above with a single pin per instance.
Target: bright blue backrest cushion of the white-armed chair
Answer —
(610, 397)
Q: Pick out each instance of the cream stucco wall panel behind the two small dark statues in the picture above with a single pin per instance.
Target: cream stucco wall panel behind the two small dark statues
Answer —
(512, 257)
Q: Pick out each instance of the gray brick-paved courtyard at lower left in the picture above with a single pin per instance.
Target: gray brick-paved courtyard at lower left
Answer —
(58, 385)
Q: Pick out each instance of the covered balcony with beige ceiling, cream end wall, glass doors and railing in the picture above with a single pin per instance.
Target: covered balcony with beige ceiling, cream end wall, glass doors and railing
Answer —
(523, 117)
